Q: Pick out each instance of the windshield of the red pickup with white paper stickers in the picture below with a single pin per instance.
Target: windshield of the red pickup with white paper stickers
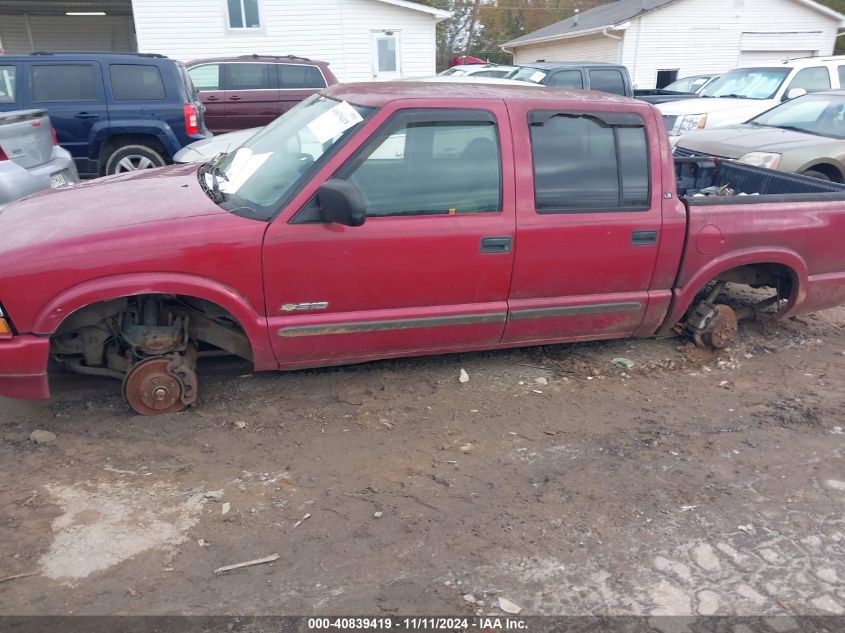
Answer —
(256, 179)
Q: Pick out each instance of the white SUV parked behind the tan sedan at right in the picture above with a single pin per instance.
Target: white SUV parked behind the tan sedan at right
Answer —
(743, 93)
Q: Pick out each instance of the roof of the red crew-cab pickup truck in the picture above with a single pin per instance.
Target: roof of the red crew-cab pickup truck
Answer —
(379, 93)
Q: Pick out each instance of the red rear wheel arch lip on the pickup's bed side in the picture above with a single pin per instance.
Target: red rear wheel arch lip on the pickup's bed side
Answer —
(683, 295)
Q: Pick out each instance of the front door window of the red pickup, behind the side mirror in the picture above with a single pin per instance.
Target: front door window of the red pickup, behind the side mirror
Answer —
(428, 163)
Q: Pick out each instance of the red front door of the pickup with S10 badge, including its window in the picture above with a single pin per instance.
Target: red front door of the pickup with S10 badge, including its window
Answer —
(430, 268)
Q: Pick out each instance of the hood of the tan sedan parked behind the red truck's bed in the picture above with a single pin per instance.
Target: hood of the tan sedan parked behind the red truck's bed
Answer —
(735, 141)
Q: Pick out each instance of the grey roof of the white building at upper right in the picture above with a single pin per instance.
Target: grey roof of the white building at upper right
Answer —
(617, 13)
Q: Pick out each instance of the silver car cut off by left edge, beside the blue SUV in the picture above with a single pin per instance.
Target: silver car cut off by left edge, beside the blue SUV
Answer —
(30, 158)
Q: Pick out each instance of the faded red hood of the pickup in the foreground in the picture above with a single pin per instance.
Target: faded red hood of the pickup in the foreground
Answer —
(104, 204)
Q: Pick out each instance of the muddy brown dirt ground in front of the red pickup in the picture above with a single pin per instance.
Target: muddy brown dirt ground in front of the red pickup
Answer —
(692, 483)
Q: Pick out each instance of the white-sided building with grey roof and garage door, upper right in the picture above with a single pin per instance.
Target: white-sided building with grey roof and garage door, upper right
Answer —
(660, 40)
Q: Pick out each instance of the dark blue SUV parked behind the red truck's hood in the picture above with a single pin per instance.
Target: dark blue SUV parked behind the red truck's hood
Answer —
(113, 112)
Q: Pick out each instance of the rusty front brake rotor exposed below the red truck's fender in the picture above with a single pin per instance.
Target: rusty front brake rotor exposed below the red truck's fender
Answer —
(151, 389)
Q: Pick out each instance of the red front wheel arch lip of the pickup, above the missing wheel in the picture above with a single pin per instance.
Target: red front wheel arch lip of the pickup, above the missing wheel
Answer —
(77, 297)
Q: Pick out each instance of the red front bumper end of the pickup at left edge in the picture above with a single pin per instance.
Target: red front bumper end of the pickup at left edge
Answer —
(23, 367)
